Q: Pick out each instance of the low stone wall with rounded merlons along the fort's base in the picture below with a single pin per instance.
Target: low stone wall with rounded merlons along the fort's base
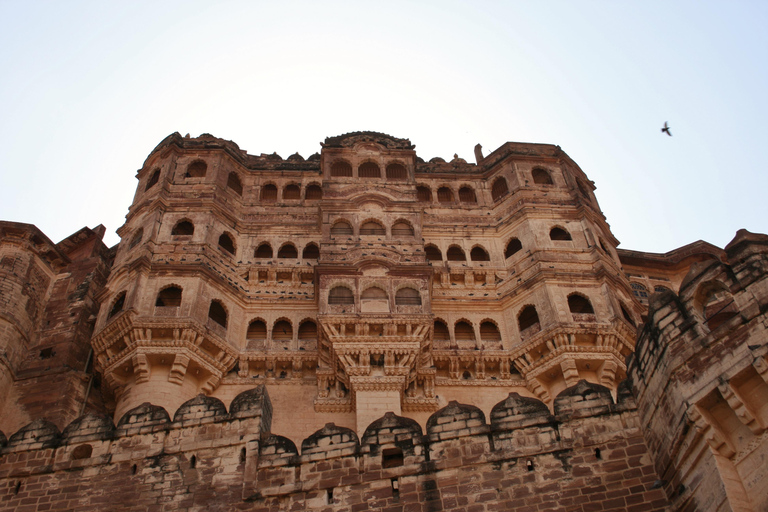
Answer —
(589, 455)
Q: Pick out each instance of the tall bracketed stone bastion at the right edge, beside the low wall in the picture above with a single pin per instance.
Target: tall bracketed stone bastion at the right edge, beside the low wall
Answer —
(701, 377)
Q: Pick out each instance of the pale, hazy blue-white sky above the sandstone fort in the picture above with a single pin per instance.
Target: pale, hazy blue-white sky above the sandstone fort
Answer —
(87, 89)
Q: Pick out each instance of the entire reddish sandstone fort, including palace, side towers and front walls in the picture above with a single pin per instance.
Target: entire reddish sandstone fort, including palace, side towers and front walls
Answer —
(366, 330)
